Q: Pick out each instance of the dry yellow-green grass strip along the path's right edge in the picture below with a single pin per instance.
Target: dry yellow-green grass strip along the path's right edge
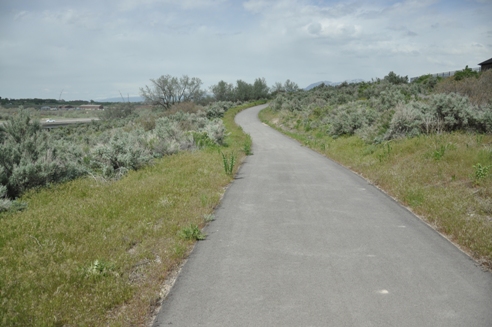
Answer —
(442, 178)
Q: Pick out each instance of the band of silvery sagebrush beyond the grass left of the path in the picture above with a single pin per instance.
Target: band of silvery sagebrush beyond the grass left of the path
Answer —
(32, 157)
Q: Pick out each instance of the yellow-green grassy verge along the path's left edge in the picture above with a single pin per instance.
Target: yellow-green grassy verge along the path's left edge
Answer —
(91, 253)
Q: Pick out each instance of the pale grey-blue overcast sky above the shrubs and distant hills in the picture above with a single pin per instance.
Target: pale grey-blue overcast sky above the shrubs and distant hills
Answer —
(95, 49)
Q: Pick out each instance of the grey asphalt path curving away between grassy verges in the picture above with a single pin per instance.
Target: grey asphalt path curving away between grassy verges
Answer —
(300, 241)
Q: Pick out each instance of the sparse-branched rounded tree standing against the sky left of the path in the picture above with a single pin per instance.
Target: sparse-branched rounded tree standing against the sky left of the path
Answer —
(168, 90)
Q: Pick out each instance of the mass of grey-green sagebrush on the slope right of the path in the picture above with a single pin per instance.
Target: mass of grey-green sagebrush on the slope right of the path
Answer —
(390, 107)
